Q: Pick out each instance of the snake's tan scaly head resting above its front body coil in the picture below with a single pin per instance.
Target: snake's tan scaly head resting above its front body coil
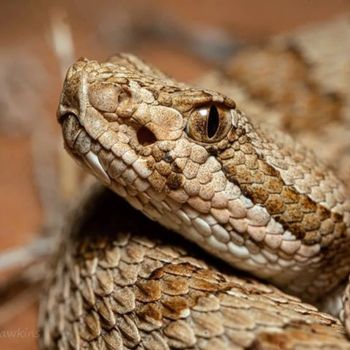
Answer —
(248, 195)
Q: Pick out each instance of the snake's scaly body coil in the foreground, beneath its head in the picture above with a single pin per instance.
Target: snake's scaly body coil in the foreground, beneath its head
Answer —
(120, 281)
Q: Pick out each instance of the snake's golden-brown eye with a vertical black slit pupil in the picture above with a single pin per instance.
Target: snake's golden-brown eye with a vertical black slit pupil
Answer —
(209, 123)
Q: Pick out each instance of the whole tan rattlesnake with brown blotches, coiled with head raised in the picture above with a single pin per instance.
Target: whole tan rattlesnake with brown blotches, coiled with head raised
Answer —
(191, 160)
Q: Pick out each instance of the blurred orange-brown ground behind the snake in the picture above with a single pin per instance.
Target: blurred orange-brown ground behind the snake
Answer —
(184, 38)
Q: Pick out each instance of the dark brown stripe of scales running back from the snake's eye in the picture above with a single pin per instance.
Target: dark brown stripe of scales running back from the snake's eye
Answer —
(264, 185)
